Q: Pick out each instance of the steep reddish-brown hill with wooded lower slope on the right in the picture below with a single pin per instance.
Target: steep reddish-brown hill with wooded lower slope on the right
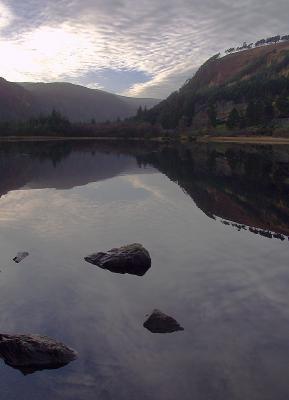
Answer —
(244, 89)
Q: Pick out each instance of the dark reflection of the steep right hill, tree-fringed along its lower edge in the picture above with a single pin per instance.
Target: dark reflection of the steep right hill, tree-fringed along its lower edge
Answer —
(246, 187)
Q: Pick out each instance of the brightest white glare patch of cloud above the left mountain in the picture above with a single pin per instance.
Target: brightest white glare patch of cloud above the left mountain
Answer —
(45, 54)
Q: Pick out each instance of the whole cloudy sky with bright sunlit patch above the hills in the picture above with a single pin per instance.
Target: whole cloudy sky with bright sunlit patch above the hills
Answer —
(130, 47)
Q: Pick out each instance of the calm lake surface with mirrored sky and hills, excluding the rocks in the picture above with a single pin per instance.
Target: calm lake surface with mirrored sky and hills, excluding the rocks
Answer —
(216, 222)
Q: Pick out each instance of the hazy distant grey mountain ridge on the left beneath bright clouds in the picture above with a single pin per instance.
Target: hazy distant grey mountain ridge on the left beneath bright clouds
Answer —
(79, 104)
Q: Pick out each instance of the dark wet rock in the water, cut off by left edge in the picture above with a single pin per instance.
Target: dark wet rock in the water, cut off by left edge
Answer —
(30, 353)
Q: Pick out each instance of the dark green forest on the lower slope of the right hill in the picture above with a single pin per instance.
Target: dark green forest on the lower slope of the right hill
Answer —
(262, 99)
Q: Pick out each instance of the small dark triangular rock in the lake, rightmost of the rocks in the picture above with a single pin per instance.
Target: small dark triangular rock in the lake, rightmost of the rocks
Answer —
(159, 322)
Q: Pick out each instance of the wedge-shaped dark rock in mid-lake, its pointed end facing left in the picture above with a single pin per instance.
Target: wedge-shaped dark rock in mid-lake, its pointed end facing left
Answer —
(132, 259)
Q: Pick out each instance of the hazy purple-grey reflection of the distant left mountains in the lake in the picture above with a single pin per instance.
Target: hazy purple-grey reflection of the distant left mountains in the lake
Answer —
(59, 165)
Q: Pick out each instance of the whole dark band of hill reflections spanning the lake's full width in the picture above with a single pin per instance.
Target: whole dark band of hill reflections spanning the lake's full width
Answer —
(243, 186)
